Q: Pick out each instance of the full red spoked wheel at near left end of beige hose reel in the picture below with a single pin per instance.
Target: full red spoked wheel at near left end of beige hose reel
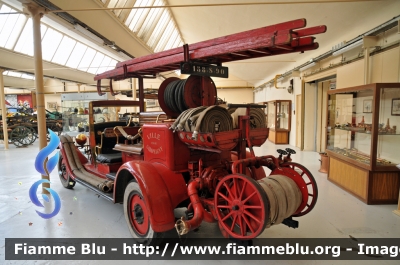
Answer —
(242, 206)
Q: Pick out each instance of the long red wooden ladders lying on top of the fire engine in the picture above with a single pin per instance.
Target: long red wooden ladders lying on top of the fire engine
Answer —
(277, 39)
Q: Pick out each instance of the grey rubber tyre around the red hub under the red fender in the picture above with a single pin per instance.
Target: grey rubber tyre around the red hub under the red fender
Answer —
(151, 238)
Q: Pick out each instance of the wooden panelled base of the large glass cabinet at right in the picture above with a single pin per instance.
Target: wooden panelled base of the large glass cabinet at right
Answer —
(372, 187)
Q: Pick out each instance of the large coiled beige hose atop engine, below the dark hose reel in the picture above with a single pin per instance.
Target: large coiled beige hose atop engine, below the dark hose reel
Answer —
(204, 119)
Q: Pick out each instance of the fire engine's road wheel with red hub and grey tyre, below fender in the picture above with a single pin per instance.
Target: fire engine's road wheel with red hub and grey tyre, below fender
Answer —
(137, 216)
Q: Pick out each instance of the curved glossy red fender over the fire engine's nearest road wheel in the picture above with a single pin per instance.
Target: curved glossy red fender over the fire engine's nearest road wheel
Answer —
(158, 196)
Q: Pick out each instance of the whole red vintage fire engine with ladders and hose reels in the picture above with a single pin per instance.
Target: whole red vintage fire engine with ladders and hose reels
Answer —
(195, 154)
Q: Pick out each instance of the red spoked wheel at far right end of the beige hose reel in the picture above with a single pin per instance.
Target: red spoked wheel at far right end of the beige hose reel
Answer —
(311, 185)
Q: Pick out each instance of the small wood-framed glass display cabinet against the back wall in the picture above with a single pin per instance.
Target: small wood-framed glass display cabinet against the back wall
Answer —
(279, 120)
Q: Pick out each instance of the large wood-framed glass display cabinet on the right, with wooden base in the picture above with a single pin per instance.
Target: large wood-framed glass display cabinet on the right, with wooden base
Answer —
(363, 141)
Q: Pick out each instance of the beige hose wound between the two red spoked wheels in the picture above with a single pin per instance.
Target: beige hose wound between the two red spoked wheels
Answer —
(284, 197)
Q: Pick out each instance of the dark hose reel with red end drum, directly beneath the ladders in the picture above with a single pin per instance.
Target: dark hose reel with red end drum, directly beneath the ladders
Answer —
(176, 95)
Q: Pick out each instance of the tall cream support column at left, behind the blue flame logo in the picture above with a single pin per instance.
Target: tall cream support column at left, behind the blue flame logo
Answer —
(36, 13)
